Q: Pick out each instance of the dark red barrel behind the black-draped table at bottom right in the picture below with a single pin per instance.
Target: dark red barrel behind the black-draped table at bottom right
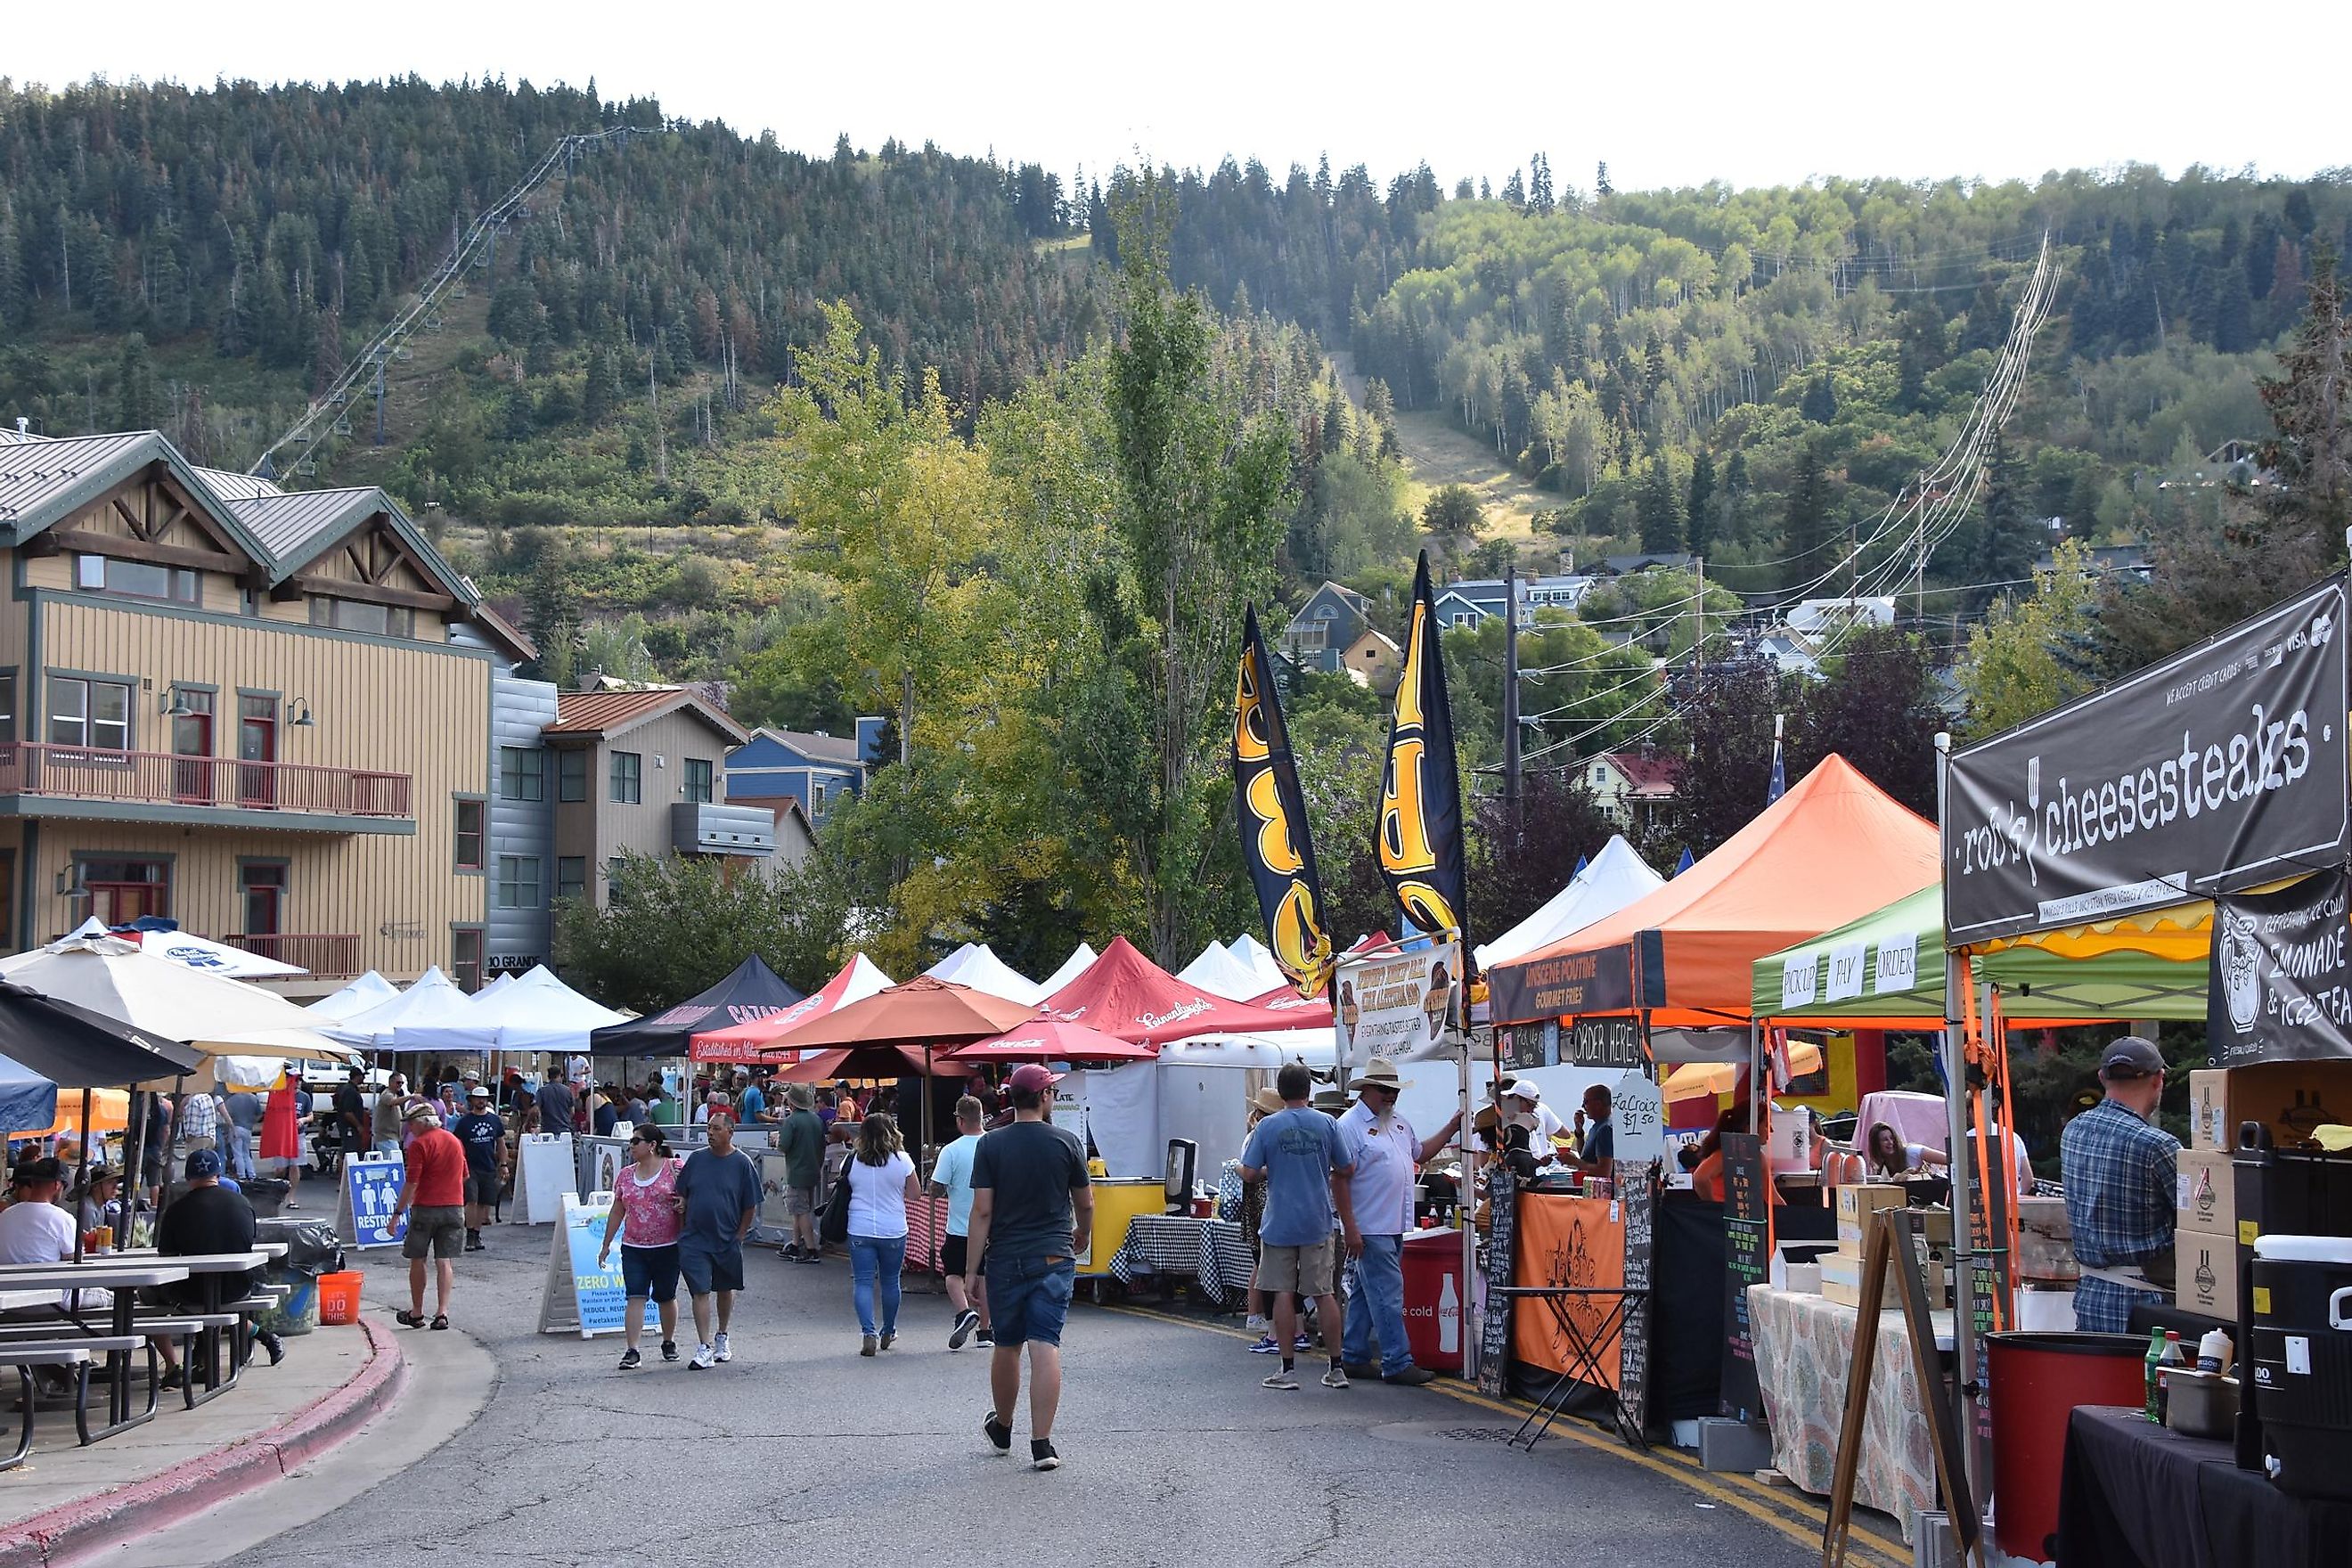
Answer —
(2036, 1383)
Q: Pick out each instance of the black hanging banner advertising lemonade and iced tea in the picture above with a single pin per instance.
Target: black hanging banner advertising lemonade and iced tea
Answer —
(2283, 984)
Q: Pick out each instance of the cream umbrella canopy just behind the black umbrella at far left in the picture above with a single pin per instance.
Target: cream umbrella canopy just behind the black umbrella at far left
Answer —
(163, 1000)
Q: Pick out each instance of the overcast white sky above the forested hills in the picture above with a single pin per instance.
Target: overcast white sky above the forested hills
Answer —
(1669, 95)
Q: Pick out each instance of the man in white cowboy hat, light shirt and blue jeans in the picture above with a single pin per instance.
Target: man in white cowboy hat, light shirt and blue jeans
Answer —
(1382, 1155)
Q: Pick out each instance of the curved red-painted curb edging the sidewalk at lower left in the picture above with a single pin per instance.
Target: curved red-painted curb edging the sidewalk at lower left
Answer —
(192, 1487)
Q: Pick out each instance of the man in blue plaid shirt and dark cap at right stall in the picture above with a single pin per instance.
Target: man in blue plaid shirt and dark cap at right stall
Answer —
(2120, 1195)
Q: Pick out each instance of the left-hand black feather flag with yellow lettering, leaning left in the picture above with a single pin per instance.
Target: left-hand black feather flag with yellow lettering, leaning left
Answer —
(1274, 819)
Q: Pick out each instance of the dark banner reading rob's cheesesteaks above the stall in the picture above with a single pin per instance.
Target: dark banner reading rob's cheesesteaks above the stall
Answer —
(2205, 775)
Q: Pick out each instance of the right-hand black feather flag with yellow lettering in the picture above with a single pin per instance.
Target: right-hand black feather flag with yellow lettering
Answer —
(1422, 808)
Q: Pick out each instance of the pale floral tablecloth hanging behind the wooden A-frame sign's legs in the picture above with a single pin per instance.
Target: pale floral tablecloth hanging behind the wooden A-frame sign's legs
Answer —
(1805, 1351)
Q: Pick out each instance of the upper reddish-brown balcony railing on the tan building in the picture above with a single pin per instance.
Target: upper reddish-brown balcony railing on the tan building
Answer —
(166, 779)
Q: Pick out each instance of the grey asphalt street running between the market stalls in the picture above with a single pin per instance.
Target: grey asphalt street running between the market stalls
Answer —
(1172, 1456)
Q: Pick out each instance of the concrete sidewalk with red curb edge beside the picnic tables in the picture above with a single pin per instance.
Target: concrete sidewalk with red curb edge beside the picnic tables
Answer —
(67, 1499)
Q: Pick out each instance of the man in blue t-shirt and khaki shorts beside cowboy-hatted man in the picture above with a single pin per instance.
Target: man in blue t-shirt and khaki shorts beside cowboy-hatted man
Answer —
(1297, 1153)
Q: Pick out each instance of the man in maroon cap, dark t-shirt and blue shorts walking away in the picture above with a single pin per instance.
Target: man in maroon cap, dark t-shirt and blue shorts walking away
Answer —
(1031, 1217)
